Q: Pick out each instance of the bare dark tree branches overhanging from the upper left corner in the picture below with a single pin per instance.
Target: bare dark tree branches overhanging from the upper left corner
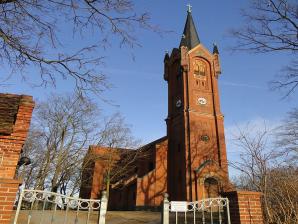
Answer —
(31, 35)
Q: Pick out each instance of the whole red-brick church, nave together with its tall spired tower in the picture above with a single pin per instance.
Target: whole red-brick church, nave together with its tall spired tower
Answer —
(190, 162)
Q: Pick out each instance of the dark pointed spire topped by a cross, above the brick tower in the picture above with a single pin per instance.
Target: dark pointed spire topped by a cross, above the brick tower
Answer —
(190, 37)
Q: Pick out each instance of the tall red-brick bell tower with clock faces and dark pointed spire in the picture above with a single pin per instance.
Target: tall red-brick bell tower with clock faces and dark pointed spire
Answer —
(197, 163)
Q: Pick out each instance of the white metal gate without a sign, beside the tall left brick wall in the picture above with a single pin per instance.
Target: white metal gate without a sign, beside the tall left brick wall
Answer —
(44, 207)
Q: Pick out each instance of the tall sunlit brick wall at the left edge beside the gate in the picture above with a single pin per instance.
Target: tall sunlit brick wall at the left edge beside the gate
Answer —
(10, 148)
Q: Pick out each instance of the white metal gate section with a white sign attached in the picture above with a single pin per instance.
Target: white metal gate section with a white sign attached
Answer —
(207, 211)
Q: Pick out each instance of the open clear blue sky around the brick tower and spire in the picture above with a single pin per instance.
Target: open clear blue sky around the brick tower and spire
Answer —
(139, 91)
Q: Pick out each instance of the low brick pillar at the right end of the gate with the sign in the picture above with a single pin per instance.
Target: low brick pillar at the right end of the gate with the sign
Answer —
(245, 207)
